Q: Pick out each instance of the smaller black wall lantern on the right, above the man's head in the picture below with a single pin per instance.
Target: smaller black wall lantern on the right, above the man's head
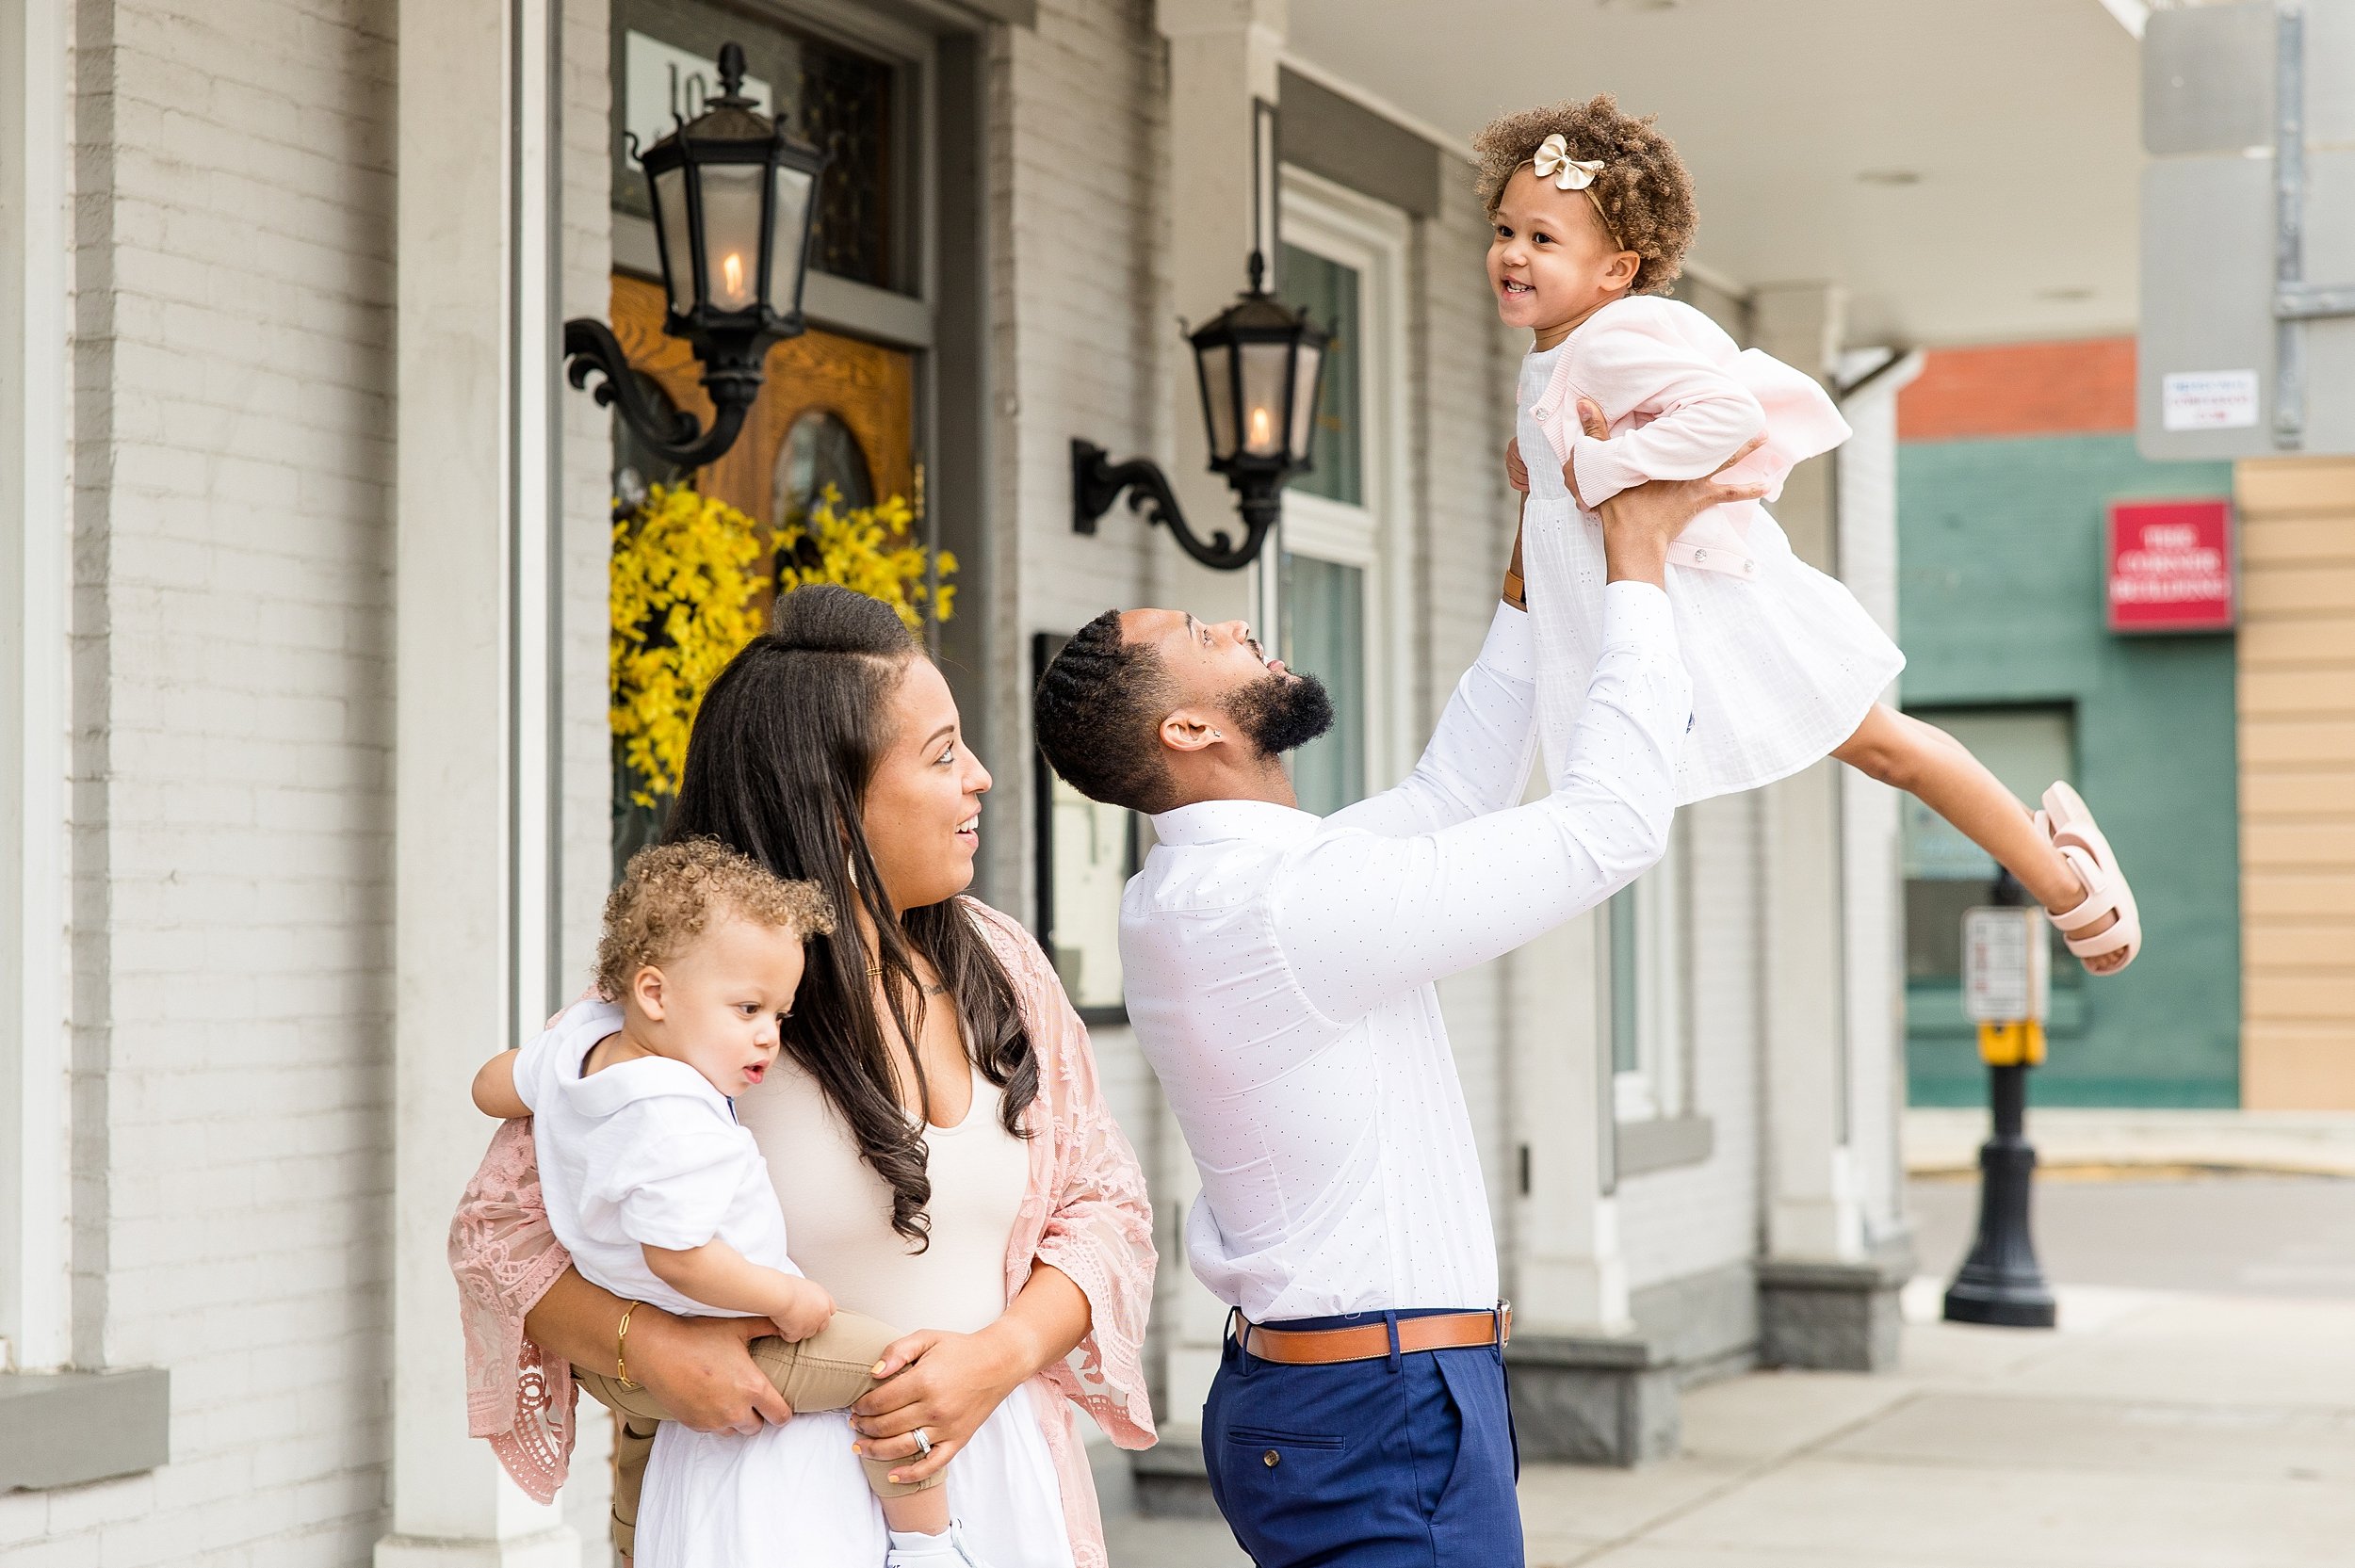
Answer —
(1259, 368)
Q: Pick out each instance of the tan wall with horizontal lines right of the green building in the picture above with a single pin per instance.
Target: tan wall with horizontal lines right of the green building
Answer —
(2297, 783)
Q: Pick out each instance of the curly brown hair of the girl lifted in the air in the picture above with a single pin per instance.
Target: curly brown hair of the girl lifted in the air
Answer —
(1645, 190)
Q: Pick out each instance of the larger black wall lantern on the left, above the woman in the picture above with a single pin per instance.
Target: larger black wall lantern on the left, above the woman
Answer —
(736, 201)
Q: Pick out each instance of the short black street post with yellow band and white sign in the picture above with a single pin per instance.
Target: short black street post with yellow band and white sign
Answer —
(2005, 990)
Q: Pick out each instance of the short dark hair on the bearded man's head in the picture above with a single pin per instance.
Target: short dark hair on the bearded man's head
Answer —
(1099, 717)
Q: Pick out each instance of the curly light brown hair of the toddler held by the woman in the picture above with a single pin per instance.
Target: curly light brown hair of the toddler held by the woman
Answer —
(675, 891)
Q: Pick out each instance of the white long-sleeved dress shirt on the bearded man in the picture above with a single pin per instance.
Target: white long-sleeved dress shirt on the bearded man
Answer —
(1282, 976)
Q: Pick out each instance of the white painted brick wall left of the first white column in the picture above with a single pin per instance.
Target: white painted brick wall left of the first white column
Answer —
(230, 780)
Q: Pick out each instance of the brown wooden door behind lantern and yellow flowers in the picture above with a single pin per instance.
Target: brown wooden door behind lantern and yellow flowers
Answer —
(830, 411)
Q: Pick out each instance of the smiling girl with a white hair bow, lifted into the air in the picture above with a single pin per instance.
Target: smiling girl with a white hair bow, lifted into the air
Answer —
(1591, 220)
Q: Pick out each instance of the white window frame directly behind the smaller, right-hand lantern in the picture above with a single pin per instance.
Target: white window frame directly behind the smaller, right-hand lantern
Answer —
(1374, 239)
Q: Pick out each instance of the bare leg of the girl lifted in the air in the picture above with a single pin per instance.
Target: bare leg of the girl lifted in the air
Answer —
(1942, 773)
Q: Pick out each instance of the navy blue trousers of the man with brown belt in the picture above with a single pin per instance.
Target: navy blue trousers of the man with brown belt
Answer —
(1395, 1463)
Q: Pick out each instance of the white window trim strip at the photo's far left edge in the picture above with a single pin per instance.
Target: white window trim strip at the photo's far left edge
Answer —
(34, 1061)
